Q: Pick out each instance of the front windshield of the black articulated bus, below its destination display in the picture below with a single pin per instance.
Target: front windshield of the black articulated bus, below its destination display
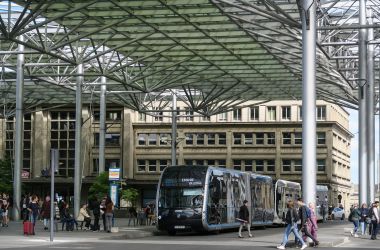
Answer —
(181, 197)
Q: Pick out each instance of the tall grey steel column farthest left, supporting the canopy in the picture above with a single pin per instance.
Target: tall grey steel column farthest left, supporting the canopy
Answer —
(19, 132)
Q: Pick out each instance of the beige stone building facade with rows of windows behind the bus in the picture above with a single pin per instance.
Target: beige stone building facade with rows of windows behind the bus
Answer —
(266, 139)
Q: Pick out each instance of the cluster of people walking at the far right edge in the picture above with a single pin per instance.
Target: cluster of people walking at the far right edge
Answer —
(364, 218)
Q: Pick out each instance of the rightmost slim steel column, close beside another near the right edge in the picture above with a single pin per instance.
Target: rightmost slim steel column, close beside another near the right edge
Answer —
(371, 114)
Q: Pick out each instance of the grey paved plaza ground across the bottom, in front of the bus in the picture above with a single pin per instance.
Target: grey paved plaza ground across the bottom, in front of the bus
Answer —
(331, 235)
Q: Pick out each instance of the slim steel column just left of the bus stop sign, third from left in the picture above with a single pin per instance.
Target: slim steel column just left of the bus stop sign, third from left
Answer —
(102, 125)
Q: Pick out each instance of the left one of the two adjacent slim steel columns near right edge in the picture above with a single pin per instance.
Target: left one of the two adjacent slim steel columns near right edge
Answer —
(362, 106)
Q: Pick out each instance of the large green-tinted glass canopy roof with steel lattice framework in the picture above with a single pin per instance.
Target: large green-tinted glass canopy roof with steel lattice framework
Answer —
(216, 53)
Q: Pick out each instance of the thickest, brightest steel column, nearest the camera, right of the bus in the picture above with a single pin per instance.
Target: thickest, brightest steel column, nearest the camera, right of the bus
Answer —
(309, 134)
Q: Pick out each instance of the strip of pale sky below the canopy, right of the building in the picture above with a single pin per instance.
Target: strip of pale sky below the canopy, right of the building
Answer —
(354, 129)
